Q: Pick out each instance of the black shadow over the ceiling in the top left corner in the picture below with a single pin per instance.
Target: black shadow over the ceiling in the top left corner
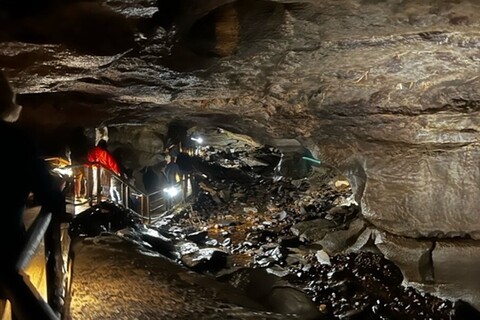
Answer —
(87, 27)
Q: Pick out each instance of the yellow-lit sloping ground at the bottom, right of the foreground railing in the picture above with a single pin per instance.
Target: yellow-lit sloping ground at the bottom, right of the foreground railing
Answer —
(112, 280)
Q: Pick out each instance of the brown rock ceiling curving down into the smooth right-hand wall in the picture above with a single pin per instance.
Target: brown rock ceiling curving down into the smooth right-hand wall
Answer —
(387, 91)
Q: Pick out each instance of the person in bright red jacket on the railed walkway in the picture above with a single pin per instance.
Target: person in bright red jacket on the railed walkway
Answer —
(100, 155)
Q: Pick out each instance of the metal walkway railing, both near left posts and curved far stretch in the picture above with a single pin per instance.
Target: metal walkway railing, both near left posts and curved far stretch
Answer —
(27, 303)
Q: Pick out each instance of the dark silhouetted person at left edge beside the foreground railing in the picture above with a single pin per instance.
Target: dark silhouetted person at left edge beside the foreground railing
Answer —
(23, 172)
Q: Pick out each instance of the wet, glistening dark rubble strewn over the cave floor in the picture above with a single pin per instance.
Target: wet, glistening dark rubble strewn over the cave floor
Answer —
(259, 225)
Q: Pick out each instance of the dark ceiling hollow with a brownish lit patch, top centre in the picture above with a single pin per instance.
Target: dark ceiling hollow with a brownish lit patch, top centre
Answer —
(203, 31)
